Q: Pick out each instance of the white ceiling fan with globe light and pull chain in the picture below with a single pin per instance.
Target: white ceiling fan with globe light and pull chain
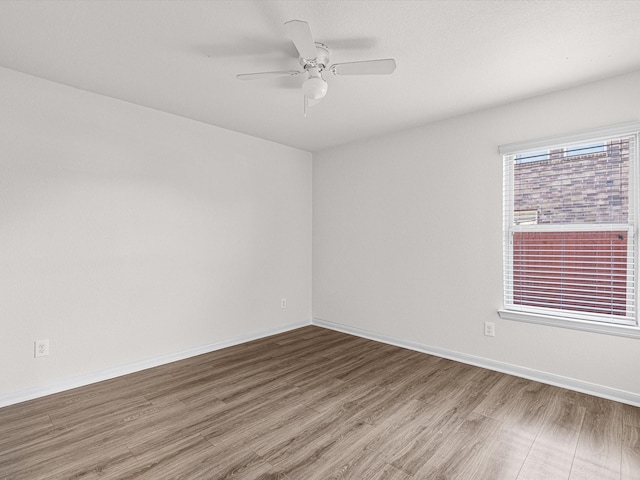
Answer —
(314, 59)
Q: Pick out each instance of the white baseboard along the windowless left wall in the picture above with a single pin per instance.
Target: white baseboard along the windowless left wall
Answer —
(87, 379)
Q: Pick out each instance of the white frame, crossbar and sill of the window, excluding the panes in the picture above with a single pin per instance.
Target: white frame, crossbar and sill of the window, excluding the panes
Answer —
(549, 316)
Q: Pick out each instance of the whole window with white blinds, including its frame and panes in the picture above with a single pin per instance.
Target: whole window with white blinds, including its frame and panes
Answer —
(570, 230)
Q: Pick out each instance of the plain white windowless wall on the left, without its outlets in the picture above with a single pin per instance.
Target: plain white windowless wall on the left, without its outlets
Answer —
(128, 234)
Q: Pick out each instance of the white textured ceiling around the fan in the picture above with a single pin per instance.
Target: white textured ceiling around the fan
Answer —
(453, 57)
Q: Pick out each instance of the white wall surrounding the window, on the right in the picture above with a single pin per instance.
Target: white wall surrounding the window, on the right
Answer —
(407, 236)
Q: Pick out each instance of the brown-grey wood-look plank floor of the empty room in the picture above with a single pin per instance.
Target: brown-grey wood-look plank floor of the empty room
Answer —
(317, 404)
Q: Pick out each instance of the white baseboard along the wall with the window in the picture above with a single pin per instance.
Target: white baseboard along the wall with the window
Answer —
(531, 374)
